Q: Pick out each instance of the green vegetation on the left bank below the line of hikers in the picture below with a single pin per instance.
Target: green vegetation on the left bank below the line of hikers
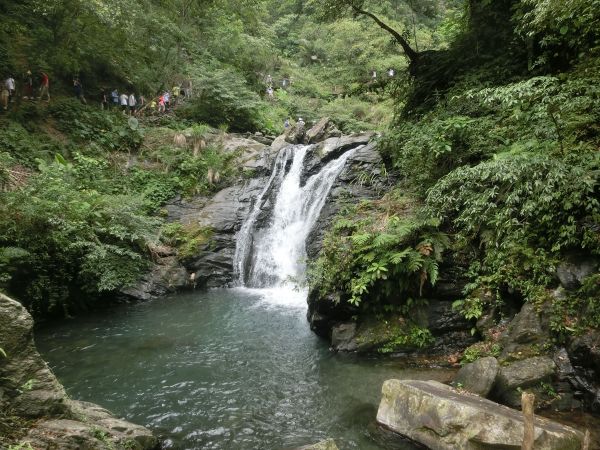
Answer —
(78, 218)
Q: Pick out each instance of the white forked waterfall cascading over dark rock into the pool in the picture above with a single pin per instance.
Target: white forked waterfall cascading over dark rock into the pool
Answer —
(274, 254)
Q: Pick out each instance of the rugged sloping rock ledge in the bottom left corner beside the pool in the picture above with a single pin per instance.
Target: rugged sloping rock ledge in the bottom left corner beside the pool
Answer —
(30, 391)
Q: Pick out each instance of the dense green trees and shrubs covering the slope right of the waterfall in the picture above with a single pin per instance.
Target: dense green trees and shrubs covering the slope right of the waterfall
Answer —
(500, 160)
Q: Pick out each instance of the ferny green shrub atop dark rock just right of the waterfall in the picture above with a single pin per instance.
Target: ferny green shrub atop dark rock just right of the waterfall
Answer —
(384, 255)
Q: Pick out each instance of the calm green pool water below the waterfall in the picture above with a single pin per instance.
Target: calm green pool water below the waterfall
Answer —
(224, 369)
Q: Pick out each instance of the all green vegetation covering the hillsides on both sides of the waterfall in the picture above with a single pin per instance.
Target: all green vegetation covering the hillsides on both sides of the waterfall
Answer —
(490, 120)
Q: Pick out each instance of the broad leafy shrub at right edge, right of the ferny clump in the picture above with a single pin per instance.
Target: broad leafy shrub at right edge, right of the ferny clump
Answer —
(523, 209)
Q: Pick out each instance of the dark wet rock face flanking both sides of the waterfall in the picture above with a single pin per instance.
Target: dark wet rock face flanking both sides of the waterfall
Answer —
(225, 213)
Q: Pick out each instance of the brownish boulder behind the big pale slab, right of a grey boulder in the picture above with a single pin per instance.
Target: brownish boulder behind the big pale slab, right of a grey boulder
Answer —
(519, 375)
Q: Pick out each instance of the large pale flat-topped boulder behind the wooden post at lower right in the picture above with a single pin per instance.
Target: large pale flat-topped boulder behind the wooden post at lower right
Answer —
(440, 418)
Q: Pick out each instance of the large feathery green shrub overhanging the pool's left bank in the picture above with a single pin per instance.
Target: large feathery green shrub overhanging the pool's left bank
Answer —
(77, 243)
